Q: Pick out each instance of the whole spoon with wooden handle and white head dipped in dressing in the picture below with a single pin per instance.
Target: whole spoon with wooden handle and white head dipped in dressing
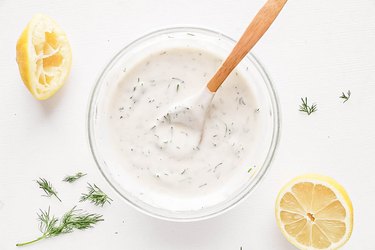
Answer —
(189, 115)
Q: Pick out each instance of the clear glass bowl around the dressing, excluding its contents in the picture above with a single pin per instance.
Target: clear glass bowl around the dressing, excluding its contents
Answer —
(183, 37)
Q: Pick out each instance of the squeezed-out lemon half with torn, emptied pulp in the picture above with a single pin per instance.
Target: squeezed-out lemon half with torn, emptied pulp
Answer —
(44, 56)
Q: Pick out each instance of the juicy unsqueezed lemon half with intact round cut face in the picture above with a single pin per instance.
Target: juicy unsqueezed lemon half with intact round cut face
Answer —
(314, 212)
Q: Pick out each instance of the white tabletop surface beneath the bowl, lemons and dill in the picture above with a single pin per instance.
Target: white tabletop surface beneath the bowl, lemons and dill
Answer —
(316, 48)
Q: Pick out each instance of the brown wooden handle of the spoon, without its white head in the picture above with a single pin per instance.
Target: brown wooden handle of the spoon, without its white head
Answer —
(260, 24)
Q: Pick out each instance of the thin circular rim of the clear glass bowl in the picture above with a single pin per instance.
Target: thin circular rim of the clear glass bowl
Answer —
(271, 151)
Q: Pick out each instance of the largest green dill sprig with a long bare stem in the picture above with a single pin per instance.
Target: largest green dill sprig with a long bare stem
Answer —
(50, 226)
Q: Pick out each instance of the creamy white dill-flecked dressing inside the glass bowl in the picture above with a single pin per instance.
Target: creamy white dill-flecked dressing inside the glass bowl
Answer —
(162, 168)
